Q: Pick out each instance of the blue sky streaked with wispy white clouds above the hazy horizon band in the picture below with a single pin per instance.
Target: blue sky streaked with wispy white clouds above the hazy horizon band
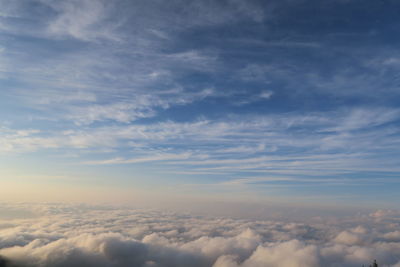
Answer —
(291, 100)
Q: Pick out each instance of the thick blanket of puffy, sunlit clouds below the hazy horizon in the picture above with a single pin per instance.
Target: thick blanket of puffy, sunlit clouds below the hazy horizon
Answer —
(79, 235)
